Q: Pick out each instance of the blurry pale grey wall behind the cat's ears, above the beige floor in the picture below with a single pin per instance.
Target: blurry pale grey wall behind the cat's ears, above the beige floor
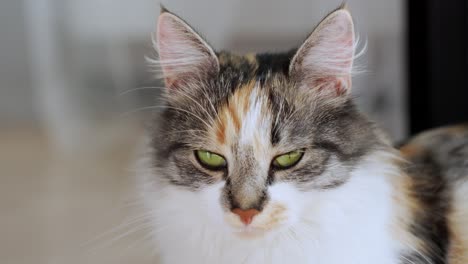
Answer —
(64, 62)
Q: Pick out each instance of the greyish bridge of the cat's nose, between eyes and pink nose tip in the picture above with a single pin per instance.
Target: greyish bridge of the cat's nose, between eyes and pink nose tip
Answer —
(247, 183)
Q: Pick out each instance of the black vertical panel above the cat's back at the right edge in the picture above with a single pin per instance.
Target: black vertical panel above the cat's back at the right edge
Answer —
(437, 63)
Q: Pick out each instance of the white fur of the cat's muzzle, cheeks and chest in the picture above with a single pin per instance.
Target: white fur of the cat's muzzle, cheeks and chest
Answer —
(348, 224)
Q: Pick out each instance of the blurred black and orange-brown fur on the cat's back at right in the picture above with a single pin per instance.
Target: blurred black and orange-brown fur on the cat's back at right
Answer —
(434, 168)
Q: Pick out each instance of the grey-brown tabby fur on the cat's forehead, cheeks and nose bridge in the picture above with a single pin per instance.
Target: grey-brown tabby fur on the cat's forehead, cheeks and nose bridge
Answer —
(327, 126)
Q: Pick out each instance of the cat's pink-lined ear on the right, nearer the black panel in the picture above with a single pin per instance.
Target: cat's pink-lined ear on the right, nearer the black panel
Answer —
(325, 59)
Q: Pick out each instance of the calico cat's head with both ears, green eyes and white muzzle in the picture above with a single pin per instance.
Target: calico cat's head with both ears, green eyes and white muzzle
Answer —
(247, 142)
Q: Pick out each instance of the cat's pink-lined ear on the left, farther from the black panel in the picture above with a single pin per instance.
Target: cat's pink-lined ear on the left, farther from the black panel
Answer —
(183, 54)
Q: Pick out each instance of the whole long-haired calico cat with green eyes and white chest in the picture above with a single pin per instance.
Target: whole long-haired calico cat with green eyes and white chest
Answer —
(264, 158)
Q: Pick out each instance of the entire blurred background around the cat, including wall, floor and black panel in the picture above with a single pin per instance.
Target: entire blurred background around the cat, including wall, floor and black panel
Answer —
(75, 90)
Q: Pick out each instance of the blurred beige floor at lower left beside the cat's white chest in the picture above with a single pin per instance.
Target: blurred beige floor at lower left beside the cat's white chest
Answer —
(73, 208)
